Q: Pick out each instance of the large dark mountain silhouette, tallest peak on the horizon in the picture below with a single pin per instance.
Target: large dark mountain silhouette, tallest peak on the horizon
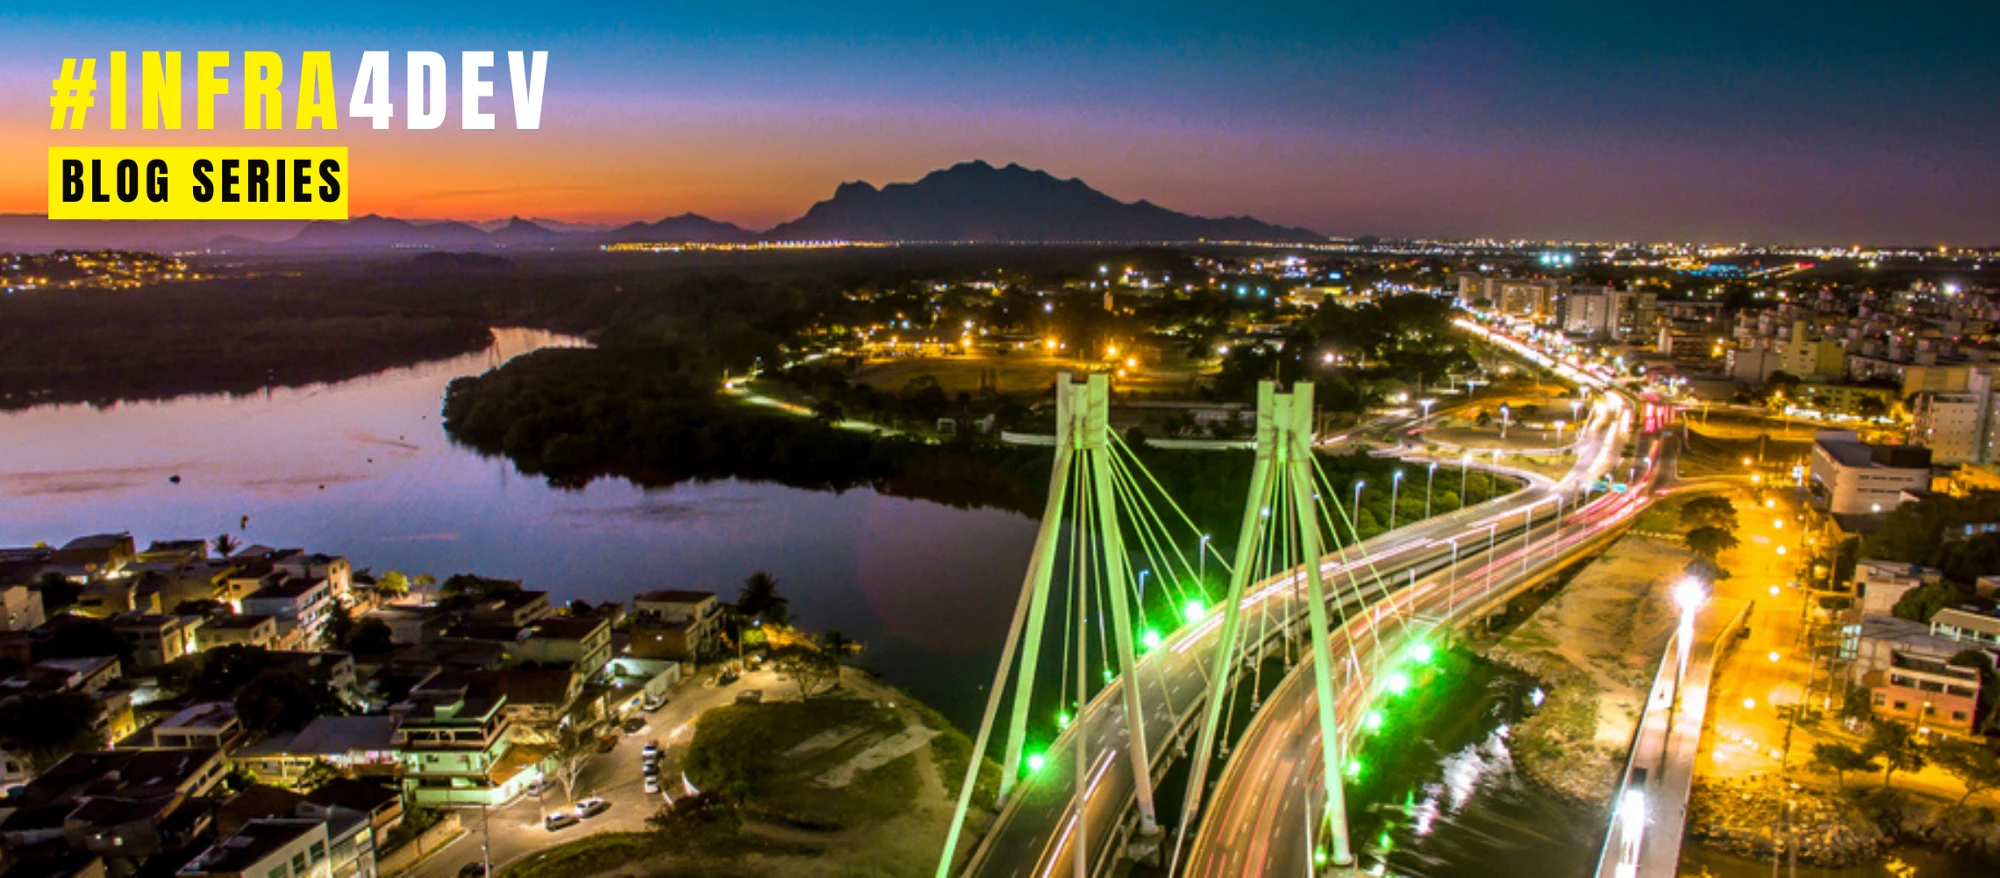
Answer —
(979, 203)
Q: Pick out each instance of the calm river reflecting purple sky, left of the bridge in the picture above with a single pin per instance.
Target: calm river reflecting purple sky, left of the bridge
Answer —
(363, 469)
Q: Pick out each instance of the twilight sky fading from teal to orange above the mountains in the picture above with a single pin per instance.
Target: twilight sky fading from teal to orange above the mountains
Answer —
(1715, 121)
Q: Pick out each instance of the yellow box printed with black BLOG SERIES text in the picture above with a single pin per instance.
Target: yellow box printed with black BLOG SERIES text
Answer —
(197, 183)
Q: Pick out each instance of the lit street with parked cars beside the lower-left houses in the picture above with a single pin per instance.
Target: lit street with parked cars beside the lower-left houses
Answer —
(517, 827)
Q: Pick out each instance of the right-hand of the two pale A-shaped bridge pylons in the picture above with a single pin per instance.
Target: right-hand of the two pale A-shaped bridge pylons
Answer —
(1281, 479)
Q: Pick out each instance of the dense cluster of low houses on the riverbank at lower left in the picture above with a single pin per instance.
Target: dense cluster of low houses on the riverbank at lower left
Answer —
(207, 709)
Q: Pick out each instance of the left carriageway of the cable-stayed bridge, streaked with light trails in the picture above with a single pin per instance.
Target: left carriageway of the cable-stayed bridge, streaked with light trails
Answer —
(1049, 815)
